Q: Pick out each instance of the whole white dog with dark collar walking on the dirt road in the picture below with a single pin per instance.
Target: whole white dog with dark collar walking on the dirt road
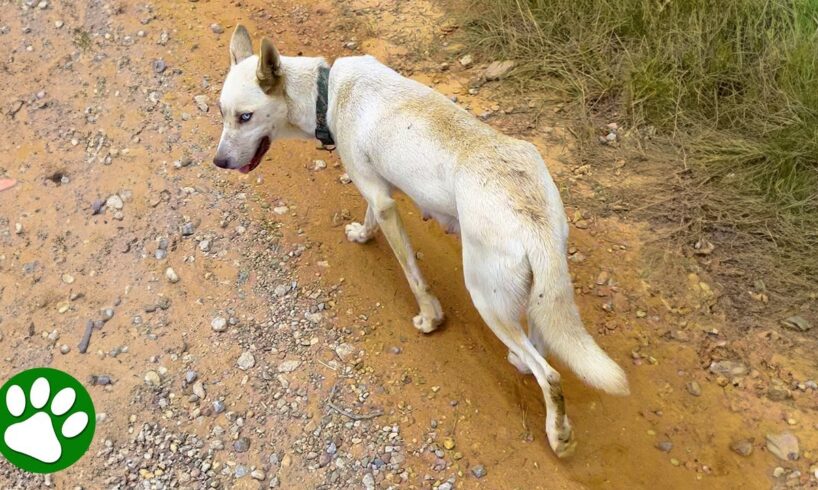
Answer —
(395, 133)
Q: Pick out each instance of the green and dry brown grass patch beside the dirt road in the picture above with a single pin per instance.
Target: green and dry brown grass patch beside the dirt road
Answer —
(733, 83)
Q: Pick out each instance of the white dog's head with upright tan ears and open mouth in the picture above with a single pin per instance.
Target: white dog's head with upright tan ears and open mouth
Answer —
(252, 103)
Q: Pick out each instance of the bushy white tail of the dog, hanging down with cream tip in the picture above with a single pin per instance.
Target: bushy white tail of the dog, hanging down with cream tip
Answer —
(552, 311)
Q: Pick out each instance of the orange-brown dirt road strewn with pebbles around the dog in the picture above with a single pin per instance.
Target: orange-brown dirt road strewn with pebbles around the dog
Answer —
(281, 355)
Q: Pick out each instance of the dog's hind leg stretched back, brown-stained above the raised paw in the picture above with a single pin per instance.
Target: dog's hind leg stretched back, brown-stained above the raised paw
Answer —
(498, 287)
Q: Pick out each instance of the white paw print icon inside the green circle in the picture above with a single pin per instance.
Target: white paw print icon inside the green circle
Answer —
(36, 436)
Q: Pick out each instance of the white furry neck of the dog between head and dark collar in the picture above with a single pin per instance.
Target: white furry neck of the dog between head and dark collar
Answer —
(301, 93)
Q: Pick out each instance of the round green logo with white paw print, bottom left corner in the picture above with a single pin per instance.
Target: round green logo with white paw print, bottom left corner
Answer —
(47, 420)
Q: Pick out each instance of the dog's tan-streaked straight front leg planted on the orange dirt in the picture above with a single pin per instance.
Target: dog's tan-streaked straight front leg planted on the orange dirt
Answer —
(386, 214)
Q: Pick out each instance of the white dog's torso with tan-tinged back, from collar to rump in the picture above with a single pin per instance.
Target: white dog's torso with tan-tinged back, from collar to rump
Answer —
(431, 149)
